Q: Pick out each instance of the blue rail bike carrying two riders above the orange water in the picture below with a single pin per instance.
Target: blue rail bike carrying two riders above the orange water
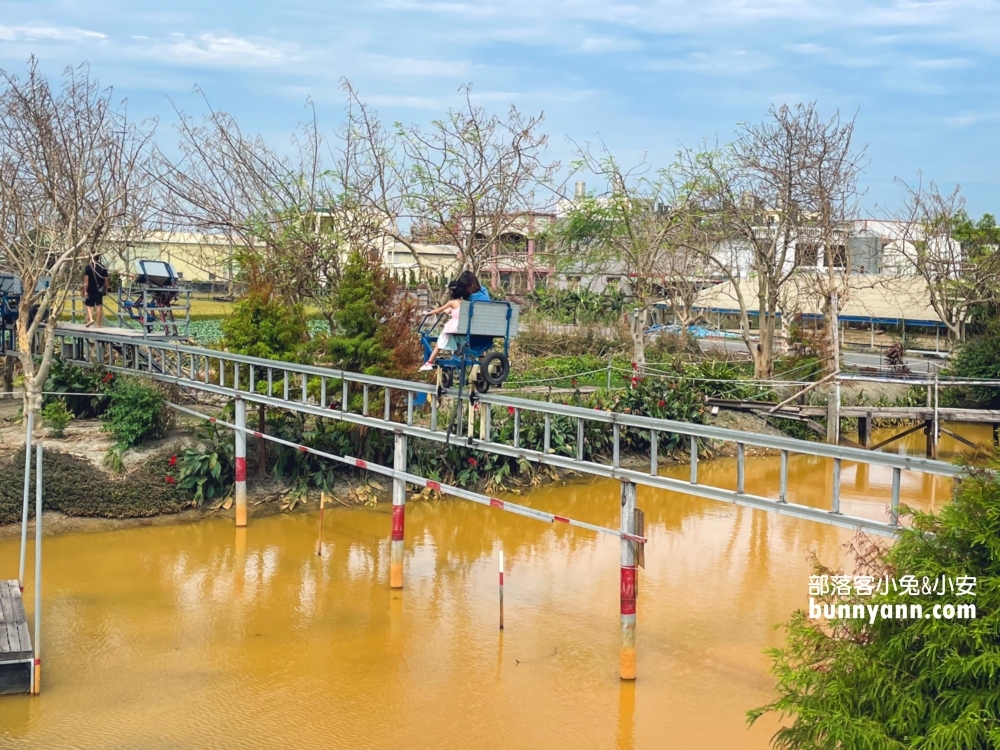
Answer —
(478, 359)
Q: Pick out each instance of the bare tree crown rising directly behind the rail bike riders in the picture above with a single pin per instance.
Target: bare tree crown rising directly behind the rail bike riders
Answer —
(470, 179)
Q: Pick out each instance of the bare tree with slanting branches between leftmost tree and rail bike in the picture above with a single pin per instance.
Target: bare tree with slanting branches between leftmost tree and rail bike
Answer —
(273, 209)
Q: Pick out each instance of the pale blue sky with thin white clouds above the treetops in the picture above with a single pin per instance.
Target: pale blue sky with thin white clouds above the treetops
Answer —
(646, 75)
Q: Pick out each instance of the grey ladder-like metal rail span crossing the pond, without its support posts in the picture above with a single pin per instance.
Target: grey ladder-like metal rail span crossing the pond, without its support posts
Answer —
(355, 397)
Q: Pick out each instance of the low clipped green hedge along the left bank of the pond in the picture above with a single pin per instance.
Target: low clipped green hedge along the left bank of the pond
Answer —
(76, 487)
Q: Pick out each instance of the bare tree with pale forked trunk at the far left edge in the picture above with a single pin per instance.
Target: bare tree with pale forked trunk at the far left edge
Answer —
(73, 184)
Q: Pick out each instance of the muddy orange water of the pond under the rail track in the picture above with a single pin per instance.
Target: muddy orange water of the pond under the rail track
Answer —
(197, 635)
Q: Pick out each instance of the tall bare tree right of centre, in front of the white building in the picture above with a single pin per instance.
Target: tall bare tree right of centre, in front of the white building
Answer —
(779, 197)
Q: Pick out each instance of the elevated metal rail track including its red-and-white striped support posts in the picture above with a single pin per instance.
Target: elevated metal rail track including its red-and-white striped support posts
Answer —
(392, 405)
